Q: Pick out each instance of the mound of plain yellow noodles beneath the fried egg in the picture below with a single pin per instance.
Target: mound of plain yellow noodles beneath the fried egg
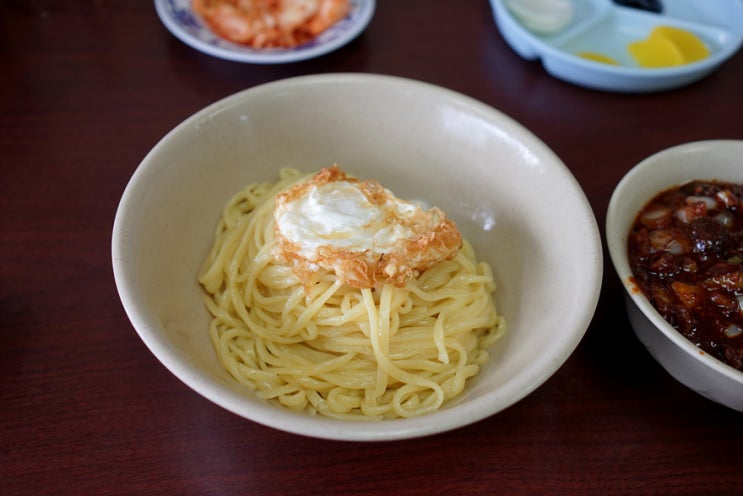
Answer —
(332, 349)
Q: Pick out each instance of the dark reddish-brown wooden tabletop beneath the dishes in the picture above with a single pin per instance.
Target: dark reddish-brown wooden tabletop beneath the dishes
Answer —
(87, 87)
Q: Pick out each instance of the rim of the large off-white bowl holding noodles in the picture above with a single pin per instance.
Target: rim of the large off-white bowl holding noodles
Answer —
(320, 427)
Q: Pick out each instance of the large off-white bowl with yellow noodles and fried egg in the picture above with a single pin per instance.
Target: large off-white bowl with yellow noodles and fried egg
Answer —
(356, 257)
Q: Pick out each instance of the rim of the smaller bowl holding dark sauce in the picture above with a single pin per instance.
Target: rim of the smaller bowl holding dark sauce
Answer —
(616, 241)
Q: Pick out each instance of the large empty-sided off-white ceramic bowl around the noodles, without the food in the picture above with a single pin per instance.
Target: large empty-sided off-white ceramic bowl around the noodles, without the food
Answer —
(509, 194)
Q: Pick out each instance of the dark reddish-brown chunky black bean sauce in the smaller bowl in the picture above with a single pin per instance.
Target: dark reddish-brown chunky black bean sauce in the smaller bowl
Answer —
(686, 255)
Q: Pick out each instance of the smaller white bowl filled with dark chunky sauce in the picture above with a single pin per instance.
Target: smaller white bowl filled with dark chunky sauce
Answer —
(674, 230)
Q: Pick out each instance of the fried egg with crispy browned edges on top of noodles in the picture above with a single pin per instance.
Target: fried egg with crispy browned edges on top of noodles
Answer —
(359, 230)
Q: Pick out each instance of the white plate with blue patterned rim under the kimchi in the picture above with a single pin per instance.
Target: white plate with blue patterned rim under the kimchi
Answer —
(186, 25)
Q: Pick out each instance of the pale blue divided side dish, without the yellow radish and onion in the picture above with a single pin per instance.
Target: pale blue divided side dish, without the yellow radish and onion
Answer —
(607, 28)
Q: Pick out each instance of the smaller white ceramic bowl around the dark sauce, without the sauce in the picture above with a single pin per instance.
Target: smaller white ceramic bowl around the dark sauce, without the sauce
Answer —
(714, 159)
